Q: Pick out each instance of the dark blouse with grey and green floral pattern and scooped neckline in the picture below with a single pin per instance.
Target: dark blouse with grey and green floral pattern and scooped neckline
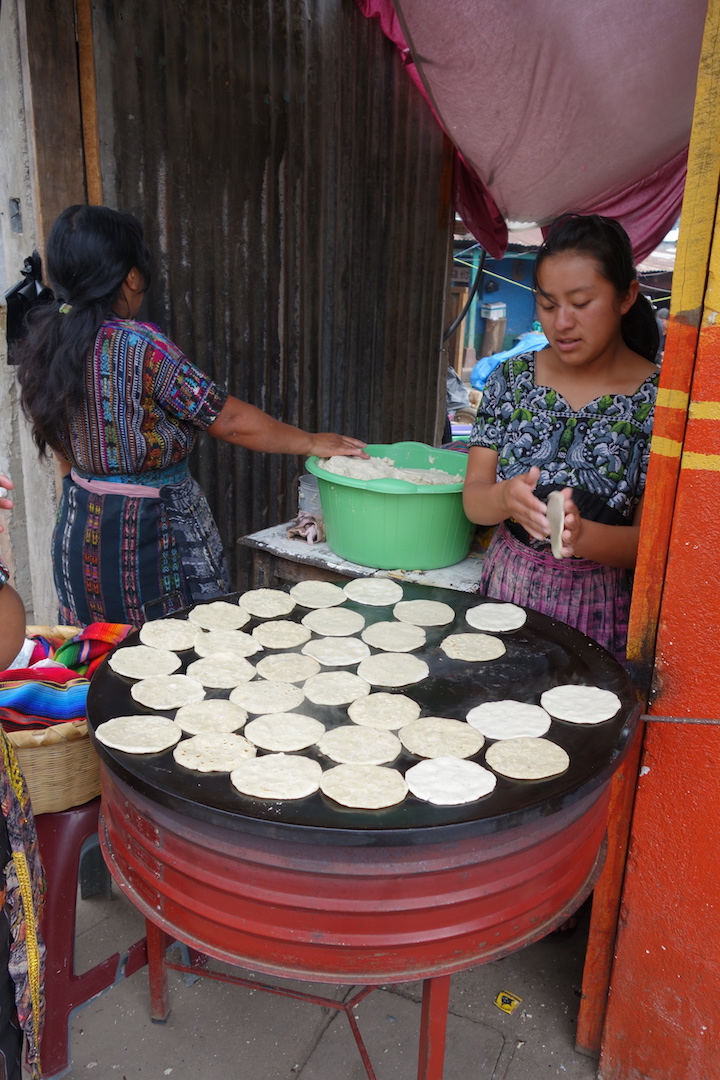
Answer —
(602, 449)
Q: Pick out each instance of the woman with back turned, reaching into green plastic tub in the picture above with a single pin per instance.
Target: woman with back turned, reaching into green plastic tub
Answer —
(120, 406)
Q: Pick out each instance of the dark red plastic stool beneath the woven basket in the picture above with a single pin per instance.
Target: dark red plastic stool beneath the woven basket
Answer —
(64, 839)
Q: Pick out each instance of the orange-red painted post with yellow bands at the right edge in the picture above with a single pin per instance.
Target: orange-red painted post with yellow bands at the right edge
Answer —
(663, 1021)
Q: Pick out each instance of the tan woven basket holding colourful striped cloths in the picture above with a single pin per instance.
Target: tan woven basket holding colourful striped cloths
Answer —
(60, 765)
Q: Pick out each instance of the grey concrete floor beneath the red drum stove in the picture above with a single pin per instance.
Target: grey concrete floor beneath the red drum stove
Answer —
(219, 1032)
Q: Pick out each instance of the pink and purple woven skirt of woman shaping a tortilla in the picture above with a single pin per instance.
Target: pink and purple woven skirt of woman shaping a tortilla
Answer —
(591, 597)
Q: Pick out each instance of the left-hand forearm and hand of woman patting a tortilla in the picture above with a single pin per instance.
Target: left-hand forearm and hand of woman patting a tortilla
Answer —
(488, 501)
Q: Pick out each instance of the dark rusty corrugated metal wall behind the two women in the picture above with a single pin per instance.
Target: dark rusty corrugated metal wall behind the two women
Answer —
(289, 177)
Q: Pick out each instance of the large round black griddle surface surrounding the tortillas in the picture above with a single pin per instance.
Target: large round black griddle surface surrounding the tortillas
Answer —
(541, 655)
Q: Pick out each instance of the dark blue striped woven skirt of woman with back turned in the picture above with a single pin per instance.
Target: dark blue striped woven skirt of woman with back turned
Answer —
(128, 560)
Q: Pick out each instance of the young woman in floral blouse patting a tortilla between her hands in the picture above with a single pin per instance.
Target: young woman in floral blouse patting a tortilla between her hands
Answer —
(577, 418)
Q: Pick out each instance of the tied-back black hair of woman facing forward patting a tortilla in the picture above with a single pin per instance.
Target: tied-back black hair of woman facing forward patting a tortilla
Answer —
(606, 242)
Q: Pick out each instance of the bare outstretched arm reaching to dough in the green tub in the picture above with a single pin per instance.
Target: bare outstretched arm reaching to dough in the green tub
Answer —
(244, 425)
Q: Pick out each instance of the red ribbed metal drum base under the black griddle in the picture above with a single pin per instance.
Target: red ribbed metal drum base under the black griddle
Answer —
(357, 914)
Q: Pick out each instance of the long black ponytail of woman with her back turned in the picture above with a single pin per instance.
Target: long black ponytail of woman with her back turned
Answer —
(90, 252)
